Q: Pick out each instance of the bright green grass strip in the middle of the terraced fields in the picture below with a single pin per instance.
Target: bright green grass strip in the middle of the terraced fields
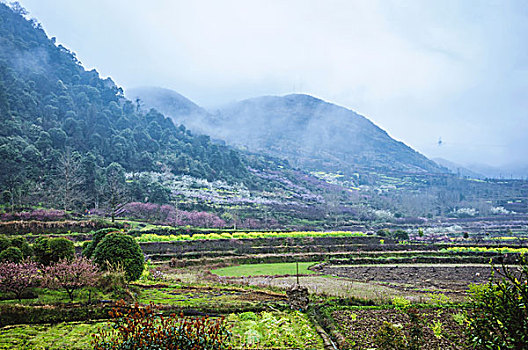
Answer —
(265, 269)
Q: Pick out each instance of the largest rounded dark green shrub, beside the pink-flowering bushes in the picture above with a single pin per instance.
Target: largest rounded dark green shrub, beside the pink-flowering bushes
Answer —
(120, 249)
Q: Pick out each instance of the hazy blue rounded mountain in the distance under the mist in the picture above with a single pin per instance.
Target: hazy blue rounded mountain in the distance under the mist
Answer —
(309, 132)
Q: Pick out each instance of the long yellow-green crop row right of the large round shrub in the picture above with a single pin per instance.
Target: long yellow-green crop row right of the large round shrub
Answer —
(245, 235)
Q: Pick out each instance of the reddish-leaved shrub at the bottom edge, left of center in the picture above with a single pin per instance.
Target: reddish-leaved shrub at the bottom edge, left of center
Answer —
(139, 328)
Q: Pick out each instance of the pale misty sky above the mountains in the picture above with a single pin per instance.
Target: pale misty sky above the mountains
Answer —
(419, 69)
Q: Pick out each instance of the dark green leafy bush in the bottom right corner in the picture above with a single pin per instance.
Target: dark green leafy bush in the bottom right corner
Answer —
(500, 318)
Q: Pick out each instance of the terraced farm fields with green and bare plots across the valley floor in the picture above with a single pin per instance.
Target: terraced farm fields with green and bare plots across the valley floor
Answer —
(357, 284)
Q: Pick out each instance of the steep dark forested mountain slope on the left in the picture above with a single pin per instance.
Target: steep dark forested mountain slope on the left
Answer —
(62, 126)
